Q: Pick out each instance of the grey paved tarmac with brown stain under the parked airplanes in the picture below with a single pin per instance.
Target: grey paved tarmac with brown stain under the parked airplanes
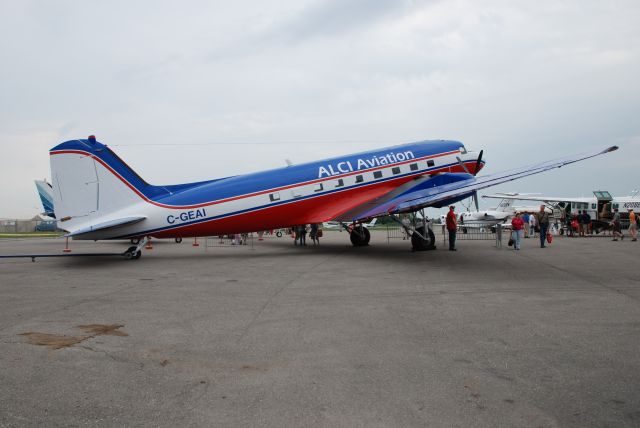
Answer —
(331, 336)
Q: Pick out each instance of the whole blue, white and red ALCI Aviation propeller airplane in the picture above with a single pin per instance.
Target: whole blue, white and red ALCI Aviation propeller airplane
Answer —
(98, 196)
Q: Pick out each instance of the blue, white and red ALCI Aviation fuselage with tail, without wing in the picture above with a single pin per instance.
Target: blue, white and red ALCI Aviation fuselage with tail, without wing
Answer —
(300, 194)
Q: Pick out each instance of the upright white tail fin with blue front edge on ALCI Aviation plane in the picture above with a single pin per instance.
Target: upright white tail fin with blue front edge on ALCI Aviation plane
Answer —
(90, 182)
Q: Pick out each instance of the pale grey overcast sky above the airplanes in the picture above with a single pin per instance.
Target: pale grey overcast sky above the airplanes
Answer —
(194, 90)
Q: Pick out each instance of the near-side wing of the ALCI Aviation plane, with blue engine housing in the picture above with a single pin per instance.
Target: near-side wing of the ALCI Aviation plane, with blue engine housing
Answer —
(447, 188)
